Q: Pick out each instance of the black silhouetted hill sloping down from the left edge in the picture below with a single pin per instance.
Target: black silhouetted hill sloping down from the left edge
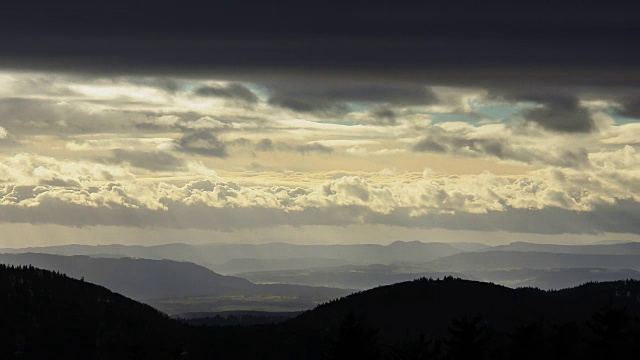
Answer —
(51, 316)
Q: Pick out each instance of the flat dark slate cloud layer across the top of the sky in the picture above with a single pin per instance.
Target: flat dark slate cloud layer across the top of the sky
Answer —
(583, 43)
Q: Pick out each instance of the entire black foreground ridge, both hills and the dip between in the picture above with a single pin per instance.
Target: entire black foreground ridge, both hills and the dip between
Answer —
(49, 315)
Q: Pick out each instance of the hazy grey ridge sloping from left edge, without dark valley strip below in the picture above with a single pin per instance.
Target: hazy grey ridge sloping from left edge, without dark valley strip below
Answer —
(150, 280)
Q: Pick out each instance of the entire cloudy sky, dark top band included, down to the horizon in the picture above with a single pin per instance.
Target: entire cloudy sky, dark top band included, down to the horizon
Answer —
(350, 122)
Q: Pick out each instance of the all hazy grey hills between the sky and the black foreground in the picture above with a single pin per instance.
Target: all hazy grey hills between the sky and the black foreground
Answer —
(177, 286)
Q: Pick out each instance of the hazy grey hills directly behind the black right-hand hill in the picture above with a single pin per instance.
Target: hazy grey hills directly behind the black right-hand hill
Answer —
(515, 265)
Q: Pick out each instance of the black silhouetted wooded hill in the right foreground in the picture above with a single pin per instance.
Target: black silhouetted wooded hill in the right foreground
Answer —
(443, 316)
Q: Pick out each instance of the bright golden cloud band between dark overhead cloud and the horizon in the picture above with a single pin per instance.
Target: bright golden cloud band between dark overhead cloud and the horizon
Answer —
(229, 157)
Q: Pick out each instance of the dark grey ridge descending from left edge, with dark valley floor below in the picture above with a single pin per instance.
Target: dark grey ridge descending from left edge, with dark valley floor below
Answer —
(178, 287)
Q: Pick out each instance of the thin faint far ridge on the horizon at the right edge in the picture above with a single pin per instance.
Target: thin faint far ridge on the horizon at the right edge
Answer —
(630, 248)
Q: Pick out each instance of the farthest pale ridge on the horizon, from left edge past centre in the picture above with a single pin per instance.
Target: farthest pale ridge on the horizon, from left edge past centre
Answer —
(235, 258)
